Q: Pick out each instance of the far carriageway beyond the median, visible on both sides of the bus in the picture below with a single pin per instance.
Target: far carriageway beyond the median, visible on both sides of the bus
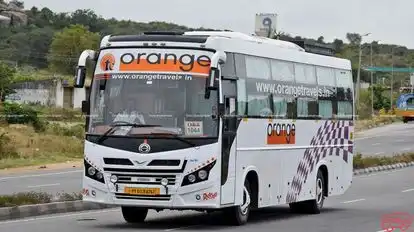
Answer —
(378, 141)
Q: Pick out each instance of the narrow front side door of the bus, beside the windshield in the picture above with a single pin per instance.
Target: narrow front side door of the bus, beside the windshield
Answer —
(228, 151)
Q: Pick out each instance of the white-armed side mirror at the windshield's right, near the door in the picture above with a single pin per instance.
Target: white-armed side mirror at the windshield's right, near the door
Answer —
(214, 75)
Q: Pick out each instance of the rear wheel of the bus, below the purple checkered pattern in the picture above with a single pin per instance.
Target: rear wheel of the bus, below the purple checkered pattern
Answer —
(312, 206)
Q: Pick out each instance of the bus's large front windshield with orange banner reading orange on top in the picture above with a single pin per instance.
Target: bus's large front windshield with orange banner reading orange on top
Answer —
(160, 87)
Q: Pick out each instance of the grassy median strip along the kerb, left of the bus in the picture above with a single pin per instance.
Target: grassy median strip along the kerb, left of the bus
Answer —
(31, 198)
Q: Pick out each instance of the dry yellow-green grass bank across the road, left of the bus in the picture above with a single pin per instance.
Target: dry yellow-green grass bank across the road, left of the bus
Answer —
(21, 145)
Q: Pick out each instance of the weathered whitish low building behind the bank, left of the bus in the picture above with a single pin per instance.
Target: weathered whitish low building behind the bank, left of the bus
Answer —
(52, 92)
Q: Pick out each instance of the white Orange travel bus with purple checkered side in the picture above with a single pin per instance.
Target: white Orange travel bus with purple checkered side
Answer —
(215, 121)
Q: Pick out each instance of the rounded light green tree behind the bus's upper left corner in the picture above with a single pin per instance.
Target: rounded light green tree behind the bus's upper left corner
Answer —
(68, 44)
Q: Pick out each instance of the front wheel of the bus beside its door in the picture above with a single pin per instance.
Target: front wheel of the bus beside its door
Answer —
(236, 215)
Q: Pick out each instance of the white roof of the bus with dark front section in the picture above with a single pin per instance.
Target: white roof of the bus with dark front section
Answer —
(234, 42)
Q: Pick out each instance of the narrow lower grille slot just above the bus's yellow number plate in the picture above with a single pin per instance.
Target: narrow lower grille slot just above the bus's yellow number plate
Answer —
(149, 179)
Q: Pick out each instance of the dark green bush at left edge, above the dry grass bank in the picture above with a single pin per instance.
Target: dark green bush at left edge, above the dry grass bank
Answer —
(21, 114)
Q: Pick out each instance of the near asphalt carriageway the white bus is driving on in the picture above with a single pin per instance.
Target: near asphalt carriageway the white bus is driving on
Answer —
(359, 210)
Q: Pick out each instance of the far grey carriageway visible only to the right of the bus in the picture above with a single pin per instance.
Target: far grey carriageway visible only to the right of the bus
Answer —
(386, 140)
